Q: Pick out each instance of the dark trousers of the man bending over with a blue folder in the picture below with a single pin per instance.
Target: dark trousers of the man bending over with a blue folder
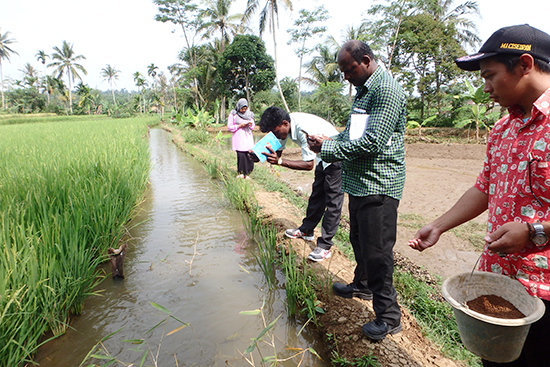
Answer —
(325, 202)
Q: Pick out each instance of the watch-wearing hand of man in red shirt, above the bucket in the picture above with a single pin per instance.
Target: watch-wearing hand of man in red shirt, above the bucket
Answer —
(510, 238)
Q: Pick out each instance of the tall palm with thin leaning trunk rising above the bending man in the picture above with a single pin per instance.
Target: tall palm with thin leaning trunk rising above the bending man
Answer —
(269, 15)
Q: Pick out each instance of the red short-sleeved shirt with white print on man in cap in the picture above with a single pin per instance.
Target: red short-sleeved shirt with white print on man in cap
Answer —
(516, 178)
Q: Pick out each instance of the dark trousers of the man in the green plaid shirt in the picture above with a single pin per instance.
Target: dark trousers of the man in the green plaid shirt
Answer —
(373, 231)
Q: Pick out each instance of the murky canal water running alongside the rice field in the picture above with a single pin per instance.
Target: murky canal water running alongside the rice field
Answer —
(191, 256)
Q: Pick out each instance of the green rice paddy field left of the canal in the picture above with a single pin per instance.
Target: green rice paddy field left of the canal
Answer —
(68, 186)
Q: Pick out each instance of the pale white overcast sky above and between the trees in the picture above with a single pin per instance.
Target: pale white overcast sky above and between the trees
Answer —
(124, 33)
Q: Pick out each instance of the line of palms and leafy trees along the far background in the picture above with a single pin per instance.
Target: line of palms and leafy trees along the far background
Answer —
(223, 59)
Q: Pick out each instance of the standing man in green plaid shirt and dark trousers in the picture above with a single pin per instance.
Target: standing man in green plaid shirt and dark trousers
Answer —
(372, 152)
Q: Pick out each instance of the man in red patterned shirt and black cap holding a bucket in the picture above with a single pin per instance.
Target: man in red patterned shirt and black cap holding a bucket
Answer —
(514, 184)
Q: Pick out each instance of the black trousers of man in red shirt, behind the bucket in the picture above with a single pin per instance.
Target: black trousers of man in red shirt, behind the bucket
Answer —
(536, 351)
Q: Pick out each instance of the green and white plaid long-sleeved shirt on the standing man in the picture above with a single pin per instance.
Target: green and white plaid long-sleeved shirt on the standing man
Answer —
(375, 163)
